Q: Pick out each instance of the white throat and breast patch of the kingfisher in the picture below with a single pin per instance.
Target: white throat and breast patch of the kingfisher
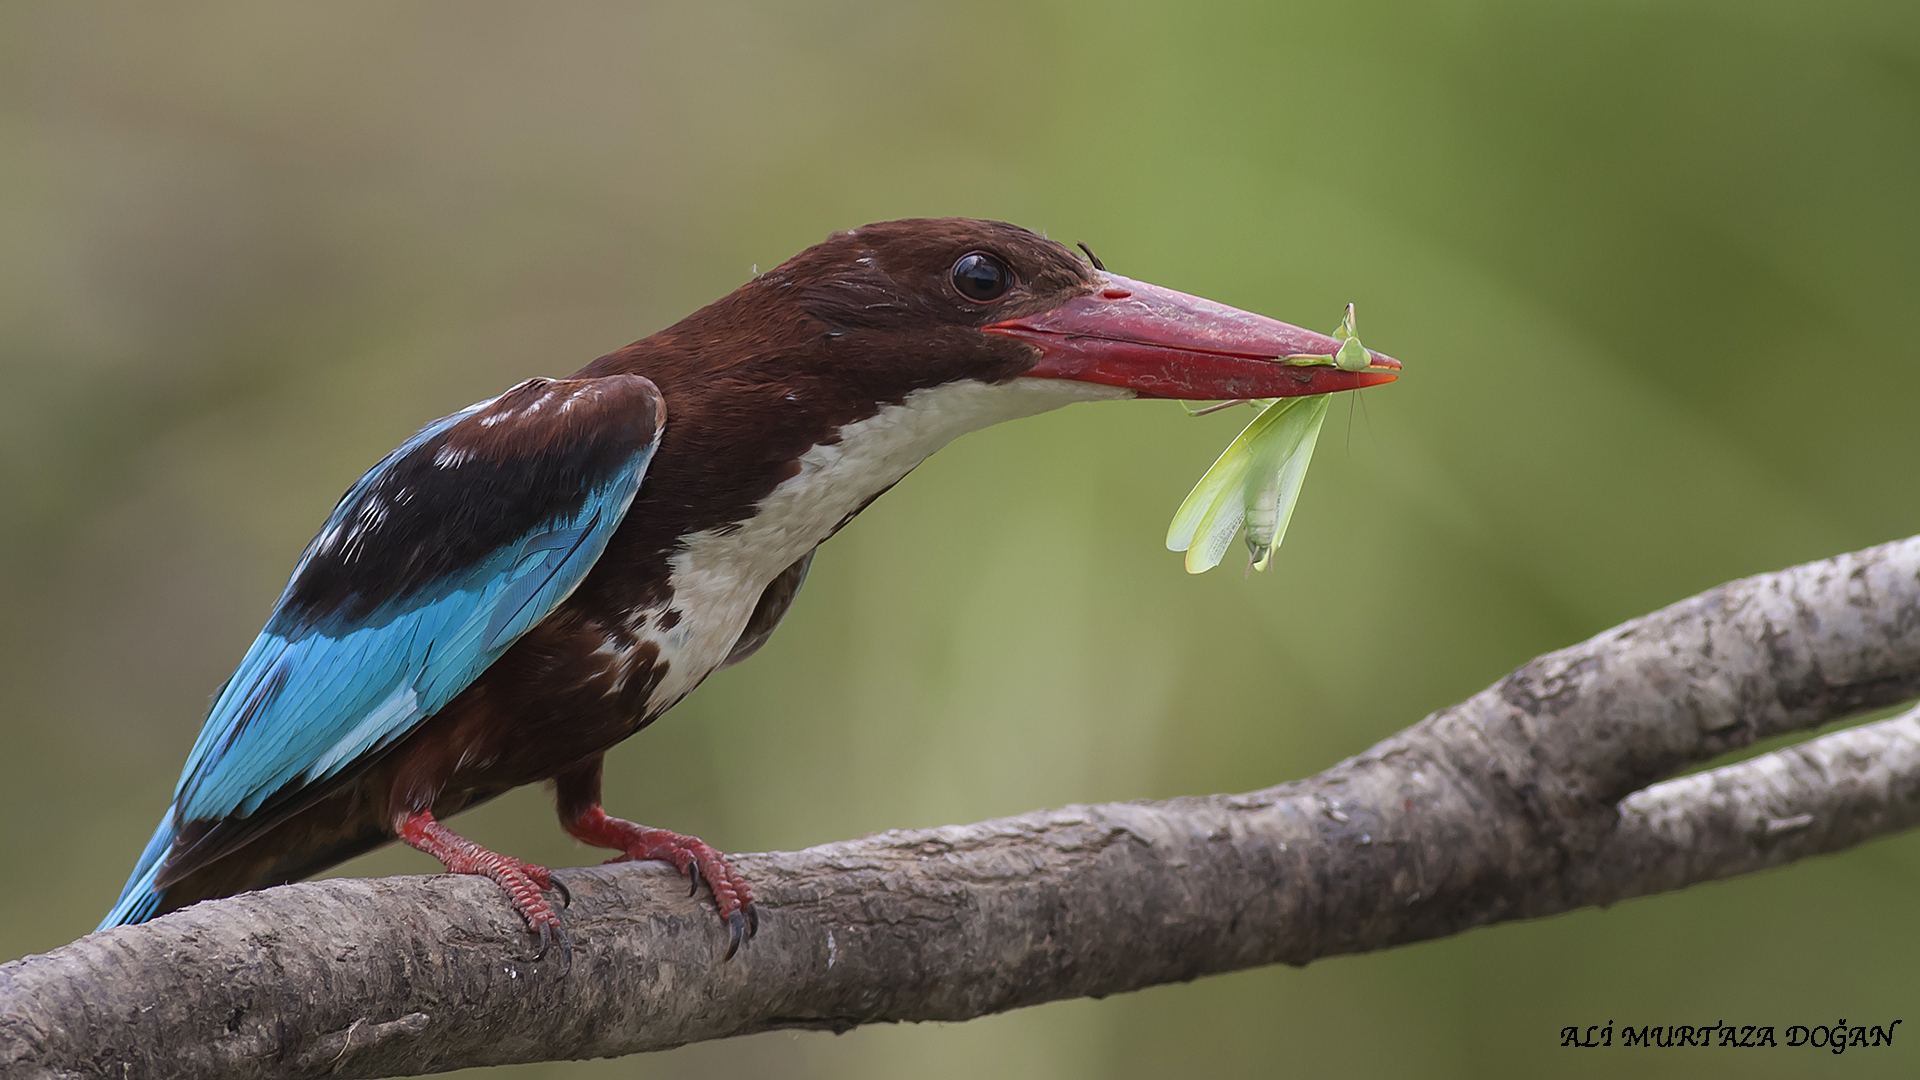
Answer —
(719, 576)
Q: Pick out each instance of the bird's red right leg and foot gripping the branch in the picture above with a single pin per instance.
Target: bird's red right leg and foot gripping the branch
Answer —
(579, 802)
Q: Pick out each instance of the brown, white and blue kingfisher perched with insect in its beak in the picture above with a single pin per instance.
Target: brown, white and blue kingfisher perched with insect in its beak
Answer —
(537, 577)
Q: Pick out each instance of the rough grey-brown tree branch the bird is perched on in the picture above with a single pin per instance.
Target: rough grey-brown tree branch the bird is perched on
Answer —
(1535, 797)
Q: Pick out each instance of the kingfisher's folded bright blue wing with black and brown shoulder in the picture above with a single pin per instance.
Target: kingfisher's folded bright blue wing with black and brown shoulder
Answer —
(441, 558)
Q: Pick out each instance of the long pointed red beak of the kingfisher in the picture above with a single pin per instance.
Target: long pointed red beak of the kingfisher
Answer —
(1168, 345)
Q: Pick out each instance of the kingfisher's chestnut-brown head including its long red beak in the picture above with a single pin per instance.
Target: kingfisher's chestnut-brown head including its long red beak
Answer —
(923, 303)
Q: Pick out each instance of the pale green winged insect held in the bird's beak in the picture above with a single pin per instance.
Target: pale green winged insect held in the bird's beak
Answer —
(1257, 481)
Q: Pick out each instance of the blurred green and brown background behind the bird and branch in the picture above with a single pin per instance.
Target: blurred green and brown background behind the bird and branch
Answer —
(1652, 270)
